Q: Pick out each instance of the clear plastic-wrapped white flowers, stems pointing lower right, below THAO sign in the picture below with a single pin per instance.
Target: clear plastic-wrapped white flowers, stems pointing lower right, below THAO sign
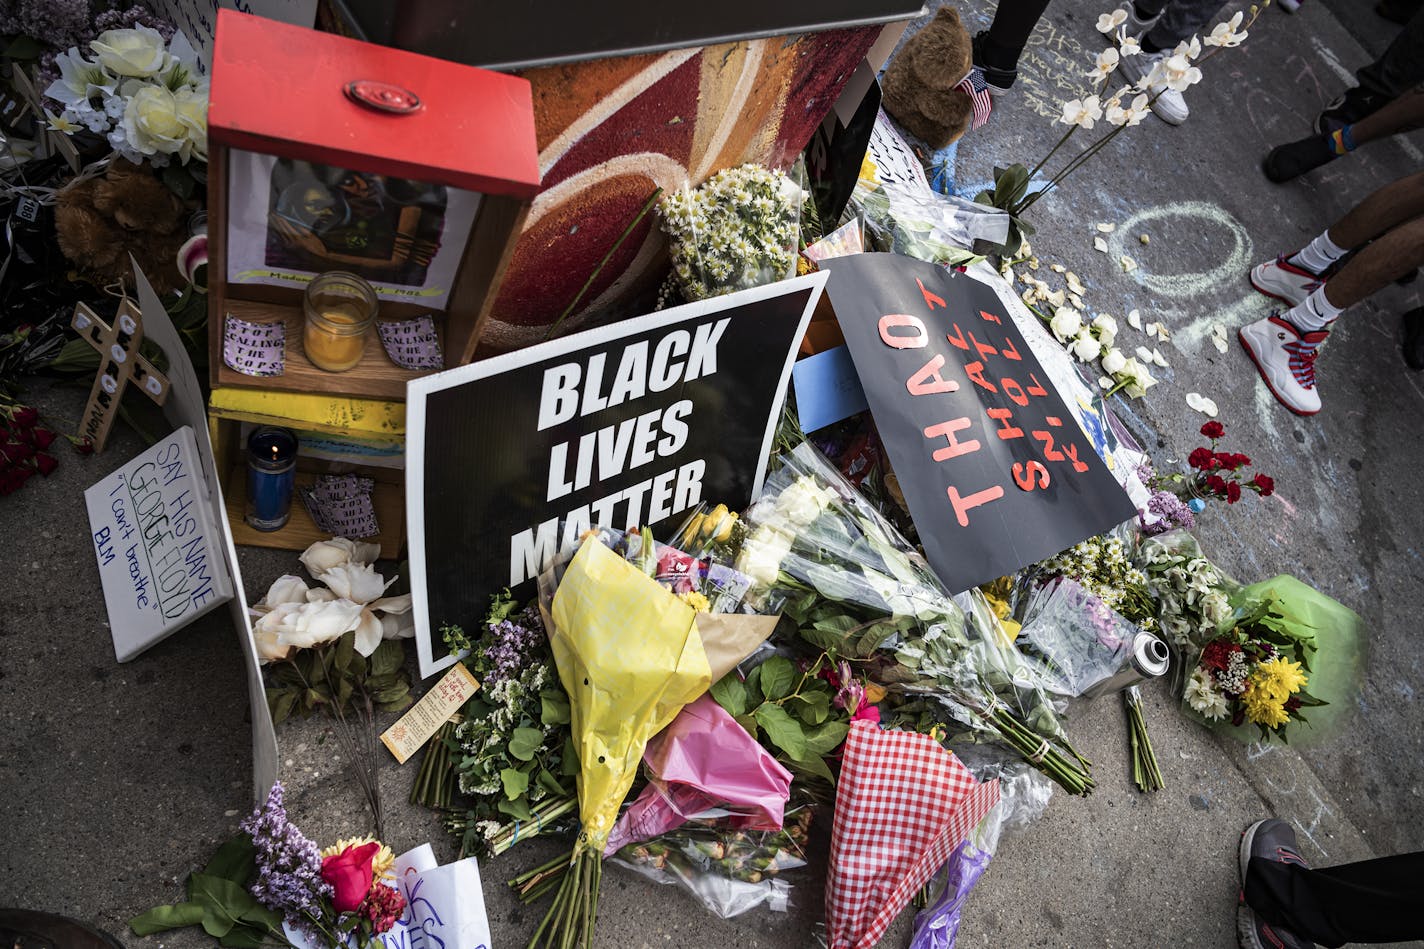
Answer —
(824, 556)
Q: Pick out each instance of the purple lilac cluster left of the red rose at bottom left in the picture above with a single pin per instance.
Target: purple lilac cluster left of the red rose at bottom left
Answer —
(290, 867)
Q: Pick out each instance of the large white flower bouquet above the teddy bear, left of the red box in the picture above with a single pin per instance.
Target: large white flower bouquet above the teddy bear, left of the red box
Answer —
(142, 92)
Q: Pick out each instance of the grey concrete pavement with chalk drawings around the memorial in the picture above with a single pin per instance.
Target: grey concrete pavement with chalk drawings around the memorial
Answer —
(120, 780)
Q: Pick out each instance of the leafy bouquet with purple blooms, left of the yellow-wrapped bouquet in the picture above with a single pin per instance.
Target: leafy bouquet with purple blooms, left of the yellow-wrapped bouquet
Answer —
(511, 754)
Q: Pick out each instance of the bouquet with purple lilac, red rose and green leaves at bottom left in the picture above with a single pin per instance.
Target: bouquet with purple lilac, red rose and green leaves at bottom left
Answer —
(271, 883)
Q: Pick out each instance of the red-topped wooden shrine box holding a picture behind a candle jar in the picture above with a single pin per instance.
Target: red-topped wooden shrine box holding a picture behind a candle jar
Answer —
(330, 155)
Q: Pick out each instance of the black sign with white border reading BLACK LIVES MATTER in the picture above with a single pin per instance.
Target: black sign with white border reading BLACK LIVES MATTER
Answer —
(512, 458)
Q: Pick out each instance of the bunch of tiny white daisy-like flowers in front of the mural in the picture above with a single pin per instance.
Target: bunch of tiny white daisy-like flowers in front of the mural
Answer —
(737, 230)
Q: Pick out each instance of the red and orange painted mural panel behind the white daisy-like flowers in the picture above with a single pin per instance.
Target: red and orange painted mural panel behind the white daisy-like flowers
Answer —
(613, 130)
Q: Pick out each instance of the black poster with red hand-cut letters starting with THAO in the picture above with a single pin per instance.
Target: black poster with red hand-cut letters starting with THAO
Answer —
(993, 465)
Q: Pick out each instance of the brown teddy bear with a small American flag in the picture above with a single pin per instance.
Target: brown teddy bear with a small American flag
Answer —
(922, 86)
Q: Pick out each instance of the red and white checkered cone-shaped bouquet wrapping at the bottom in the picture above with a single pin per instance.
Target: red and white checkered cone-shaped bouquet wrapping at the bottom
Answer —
(904, 804)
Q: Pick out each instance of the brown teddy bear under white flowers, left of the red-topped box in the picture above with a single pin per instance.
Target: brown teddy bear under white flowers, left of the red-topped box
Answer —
(100, 222)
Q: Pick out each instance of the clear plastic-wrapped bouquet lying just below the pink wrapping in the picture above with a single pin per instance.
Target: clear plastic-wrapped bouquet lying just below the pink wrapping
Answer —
(726, 870)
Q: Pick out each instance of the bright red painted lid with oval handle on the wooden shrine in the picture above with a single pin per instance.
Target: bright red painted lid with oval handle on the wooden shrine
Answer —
(298, 93)
